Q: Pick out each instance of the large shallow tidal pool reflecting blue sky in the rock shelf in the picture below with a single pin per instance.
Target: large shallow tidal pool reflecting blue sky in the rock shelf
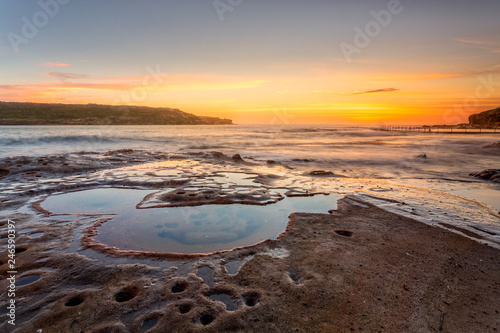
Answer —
(190, 229)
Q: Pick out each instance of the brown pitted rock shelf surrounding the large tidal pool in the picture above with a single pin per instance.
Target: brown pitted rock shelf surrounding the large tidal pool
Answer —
(359, 267)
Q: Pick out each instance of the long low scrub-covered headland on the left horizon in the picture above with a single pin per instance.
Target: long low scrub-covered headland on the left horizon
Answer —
(13, 113)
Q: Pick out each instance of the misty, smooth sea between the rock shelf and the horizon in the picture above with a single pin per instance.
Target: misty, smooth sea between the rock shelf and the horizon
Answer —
(351, 151)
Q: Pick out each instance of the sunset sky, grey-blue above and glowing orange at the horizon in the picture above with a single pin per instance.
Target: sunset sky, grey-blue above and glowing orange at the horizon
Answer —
(258, 61)
